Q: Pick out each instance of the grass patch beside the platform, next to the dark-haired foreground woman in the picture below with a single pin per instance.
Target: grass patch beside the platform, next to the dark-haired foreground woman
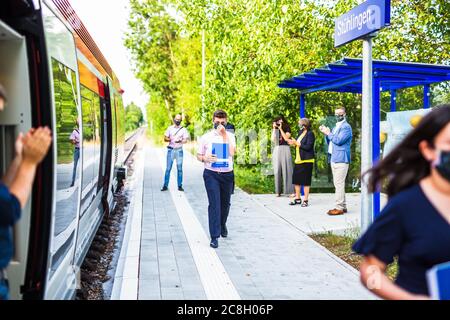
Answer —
(341, 246)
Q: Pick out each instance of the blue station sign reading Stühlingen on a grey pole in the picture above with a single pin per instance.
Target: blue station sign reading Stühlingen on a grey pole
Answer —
(365, 19)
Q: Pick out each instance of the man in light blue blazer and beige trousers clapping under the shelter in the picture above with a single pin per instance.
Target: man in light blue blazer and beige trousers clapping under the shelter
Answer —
(339, 141)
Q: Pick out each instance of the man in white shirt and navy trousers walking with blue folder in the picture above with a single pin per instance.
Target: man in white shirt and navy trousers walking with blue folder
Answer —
(216, 150)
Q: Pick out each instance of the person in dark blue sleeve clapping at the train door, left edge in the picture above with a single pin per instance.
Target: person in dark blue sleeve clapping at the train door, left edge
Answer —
(15, 188)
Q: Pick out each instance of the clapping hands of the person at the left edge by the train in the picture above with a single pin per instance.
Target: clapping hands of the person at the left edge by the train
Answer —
(36, 144)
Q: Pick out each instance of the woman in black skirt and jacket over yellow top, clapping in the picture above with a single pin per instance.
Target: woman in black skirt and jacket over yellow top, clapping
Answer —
(304, 161)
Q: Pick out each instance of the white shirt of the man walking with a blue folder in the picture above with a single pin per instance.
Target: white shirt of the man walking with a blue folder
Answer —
(205, 146)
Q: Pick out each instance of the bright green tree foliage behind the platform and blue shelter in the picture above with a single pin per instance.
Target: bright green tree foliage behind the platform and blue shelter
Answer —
(251, 45)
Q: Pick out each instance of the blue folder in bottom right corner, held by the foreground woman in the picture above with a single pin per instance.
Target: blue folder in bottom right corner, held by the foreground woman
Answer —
(438, 279)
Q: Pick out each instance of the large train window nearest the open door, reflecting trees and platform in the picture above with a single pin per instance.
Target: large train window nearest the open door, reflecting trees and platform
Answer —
(68, 154)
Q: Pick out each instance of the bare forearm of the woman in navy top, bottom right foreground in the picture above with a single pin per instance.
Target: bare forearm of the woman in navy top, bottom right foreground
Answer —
(373, 277)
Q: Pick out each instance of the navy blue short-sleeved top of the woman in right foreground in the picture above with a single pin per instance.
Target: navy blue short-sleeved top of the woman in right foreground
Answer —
(411, 228)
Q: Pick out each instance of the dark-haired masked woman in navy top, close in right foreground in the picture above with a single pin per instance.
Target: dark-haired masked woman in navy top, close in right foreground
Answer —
(415, 224)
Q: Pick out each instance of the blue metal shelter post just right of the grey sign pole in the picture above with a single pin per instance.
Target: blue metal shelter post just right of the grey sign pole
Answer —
(376, 139)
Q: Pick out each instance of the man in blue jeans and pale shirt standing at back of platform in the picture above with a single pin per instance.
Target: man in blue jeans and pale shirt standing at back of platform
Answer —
(176, 135)
